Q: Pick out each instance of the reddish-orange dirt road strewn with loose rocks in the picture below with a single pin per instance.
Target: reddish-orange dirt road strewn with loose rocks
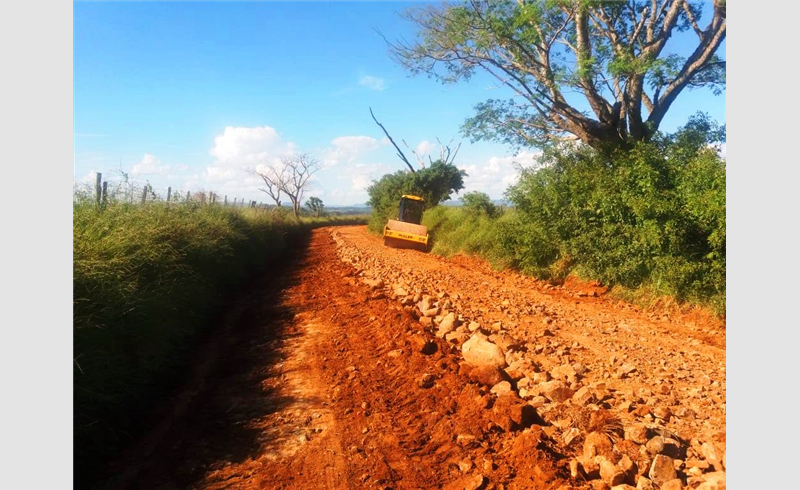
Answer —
(385, 368)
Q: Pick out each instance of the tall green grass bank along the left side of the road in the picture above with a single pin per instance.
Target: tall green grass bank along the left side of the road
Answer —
(146, 281)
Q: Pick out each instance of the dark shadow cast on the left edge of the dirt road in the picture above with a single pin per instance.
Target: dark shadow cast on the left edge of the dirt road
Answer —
(213, 420)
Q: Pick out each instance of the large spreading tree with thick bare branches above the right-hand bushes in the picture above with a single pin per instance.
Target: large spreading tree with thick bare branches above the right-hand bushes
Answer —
(551, 53)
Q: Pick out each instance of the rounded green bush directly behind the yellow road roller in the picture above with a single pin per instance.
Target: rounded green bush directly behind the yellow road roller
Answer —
(434, 184)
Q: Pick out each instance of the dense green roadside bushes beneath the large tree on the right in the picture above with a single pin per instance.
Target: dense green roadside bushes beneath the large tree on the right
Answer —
(649, 221)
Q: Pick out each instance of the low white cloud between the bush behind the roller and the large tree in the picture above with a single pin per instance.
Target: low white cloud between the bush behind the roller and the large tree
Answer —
(496, 174)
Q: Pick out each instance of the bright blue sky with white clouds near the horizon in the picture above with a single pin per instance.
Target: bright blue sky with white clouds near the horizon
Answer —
(189, 94)
